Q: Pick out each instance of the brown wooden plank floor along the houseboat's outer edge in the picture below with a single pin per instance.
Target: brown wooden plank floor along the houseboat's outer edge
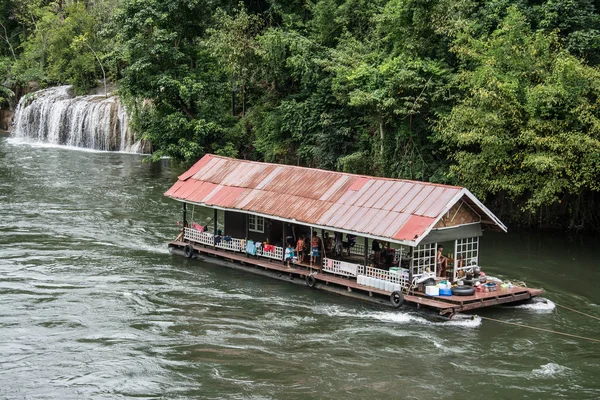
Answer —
(439, 302)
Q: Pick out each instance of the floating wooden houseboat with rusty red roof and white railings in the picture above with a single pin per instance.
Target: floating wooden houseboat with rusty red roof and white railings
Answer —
(371, 238)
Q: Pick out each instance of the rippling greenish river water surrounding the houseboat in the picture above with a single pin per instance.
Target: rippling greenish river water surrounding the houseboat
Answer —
(93, 306)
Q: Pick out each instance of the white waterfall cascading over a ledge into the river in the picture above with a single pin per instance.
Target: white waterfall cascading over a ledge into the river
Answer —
(96, 122)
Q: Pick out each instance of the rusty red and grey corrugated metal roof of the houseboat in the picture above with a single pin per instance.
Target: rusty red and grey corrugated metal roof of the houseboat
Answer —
(391, 209)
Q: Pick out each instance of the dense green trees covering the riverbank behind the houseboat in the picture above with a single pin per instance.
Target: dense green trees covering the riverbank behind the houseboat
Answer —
(497, 95)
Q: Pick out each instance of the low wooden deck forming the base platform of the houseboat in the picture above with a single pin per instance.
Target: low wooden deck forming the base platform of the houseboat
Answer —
(445, 305)
